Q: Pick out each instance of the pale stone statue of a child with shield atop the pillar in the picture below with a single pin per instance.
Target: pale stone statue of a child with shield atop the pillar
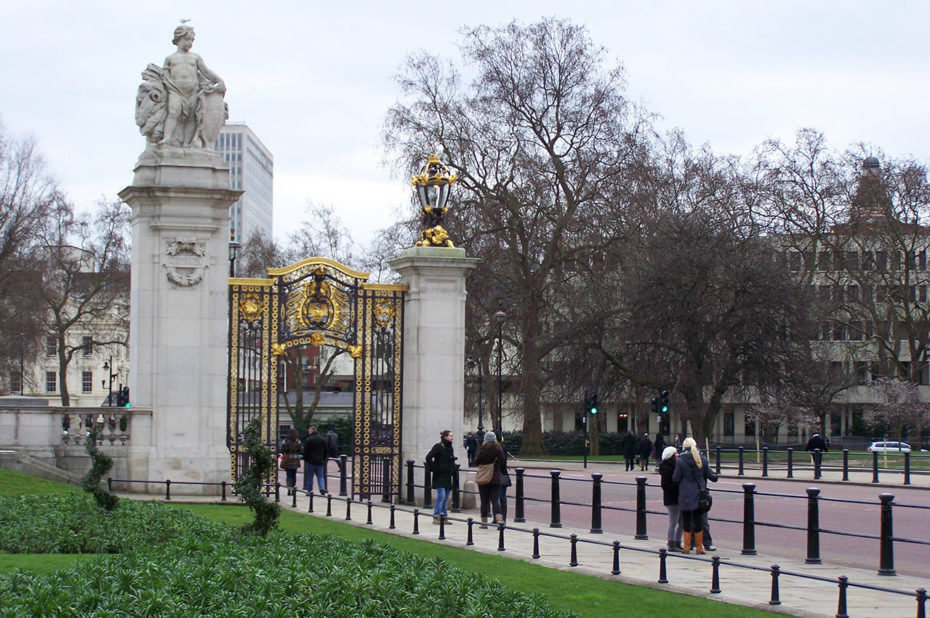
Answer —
(181, 103)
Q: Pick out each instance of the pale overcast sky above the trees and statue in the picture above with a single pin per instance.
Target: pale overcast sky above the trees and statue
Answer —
(314, 79)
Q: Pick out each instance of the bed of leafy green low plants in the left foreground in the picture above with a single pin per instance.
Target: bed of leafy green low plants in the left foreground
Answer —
(212, 572)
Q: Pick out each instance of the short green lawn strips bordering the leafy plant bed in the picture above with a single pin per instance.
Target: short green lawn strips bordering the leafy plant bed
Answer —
(581, 594)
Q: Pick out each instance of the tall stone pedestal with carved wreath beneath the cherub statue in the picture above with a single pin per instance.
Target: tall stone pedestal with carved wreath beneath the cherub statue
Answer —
(180, 202)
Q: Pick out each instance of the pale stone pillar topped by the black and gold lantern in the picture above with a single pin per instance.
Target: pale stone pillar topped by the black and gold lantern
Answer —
(434, 348)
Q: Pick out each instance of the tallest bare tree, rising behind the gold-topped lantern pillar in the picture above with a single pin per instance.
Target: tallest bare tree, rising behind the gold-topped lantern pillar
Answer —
(540, 139)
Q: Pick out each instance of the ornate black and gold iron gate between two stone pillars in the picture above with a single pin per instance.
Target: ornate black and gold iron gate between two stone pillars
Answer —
(320, 302)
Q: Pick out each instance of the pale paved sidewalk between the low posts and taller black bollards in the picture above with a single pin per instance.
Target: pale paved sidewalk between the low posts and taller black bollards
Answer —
(639, 561)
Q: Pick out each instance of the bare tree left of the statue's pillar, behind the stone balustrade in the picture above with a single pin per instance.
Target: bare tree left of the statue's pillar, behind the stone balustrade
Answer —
(85, 280)
